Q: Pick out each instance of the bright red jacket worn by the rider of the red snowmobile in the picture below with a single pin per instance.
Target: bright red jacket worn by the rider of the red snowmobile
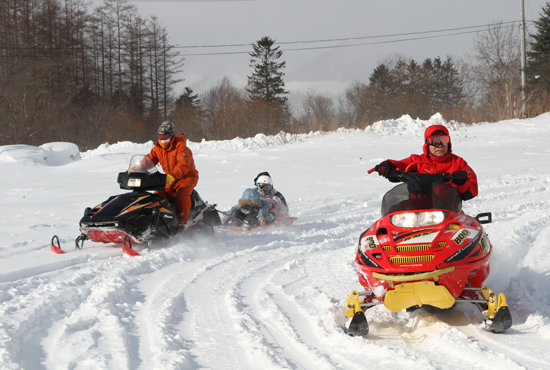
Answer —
(448, 163)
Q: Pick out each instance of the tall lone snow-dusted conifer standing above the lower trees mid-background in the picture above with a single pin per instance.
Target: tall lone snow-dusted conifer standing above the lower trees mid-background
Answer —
(266, 83)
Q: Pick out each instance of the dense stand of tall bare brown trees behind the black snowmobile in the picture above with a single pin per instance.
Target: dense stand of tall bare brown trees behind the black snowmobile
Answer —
(70, 74)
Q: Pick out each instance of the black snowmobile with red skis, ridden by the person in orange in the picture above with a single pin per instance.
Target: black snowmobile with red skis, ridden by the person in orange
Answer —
(141, 216)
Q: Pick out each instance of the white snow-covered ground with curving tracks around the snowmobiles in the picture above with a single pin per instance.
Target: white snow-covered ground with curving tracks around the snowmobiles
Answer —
(273, 300)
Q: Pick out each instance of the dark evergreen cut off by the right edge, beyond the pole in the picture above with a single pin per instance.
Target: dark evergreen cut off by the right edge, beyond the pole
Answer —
(538, 67)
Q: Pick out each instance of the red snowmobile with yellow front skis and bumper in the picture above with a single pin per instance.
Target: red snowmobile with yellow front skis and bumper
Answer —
(424, 251)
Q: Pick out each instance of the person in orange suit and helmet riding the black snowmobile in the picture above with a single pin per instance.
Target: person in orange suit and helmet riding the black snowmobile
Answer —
(177, 163)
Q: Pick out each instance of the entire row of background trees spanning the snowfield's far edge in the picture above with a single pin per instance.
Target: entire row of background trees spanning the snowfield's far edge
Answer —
(107, 75)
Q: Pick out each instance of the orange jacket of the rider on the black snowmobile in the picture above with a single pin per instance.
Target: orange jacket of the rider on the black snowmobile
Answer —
(176, 159)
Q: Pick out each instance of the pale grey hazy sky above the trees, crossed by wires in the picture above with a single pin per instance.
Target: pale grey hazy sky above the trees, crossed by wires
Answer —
(332, 66)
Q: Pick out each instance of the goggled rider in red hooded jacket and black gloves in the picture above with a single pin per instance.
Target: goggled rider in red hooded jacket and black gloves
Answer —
(437, 150)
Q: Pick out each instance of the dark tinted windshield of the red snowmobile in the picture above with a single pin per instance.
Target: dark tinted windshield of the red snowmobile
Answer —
(421, 196)
